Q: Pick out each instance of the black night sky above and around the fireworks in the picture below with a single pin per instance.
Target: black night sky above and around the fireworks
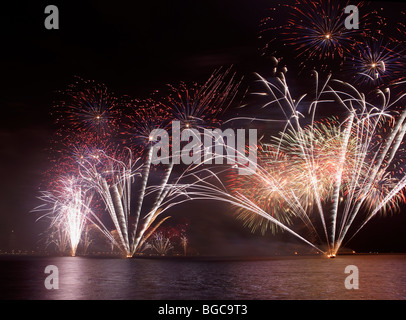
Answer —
(134, 48)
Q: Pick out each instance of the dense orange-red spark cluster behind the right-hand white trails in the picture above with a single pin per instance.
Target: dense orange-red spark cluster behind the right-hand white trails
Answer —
(282, 159)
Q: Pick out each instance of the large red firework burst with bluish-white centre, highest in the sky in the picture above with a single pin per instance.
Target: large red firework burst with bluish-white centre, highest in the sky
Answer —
(316, 31)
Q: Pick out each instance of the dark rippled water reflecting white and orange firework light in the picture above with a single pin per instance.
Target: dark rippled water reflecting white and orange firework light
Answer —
(380, 277)
